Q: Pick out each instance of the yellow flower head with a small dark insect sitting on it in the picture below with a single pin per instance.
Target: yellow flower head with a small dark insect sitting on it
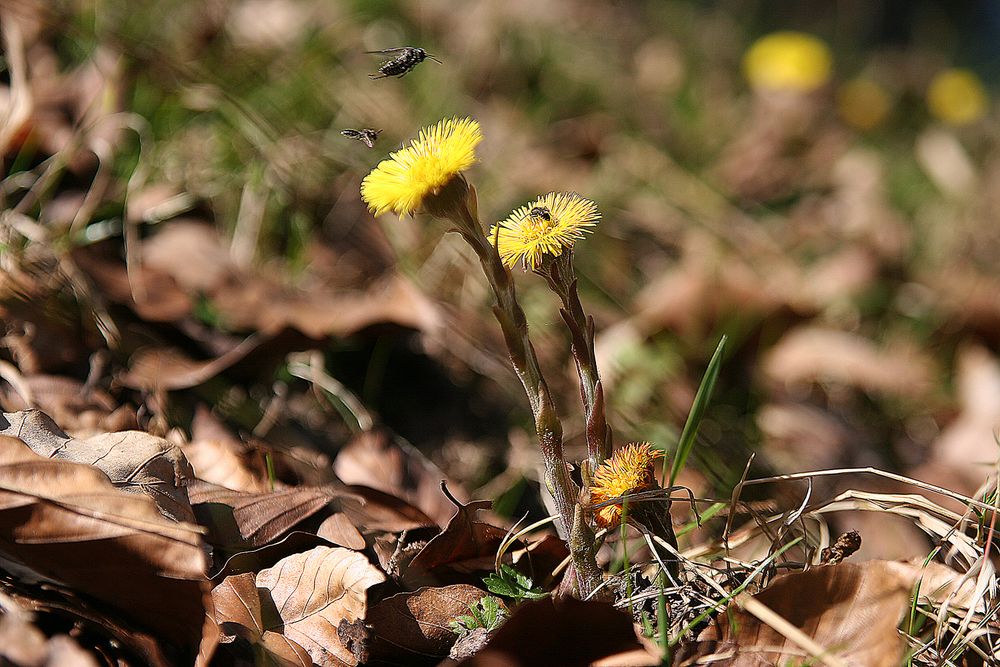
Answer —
(546, 226)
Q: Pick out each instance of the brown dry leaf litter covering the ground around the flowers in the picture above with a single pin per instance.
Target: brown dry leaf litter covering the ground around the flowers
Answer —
(288, 537)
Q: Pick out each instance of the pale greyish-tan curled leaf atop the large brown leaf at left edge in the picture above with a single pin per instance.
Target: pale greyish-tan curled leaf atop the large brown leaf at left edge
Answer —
(134, 461)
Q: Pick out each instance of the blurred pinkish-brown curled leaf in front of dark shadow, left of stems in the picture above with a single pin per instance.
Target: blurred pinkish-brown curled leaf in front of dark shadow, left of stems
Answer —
(376, 459)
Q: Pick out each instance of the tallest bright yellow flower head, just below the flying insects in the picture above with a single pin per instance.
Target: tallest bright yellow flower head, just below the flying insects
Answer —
(410, 175)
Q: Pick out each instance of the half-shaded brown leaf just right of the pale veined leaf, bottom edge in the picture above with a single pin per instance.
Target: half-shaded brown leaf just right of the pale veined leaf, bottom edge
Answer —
(412, 628)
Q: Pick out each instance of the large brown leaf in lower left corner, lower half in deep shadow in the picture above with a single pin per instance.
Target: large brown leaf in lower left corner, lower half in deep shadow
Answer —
(67, 523)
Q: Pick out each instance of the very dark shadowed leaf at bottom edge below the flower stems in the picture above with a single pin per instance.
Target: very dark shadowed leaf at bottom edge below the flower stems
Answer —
(568, 633)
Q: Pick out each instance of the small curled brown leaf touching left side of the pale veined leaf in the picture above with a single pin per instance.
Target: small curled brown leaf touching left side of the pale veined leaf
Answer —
(239, 613)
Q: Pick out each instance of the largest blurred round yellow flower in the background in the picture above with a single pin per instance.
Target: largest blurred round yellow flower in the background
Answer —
(788, 60)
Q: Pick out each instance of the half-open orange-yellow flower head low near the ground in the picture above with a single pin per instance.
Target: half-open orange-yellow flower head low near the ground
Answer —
(629, 470)
